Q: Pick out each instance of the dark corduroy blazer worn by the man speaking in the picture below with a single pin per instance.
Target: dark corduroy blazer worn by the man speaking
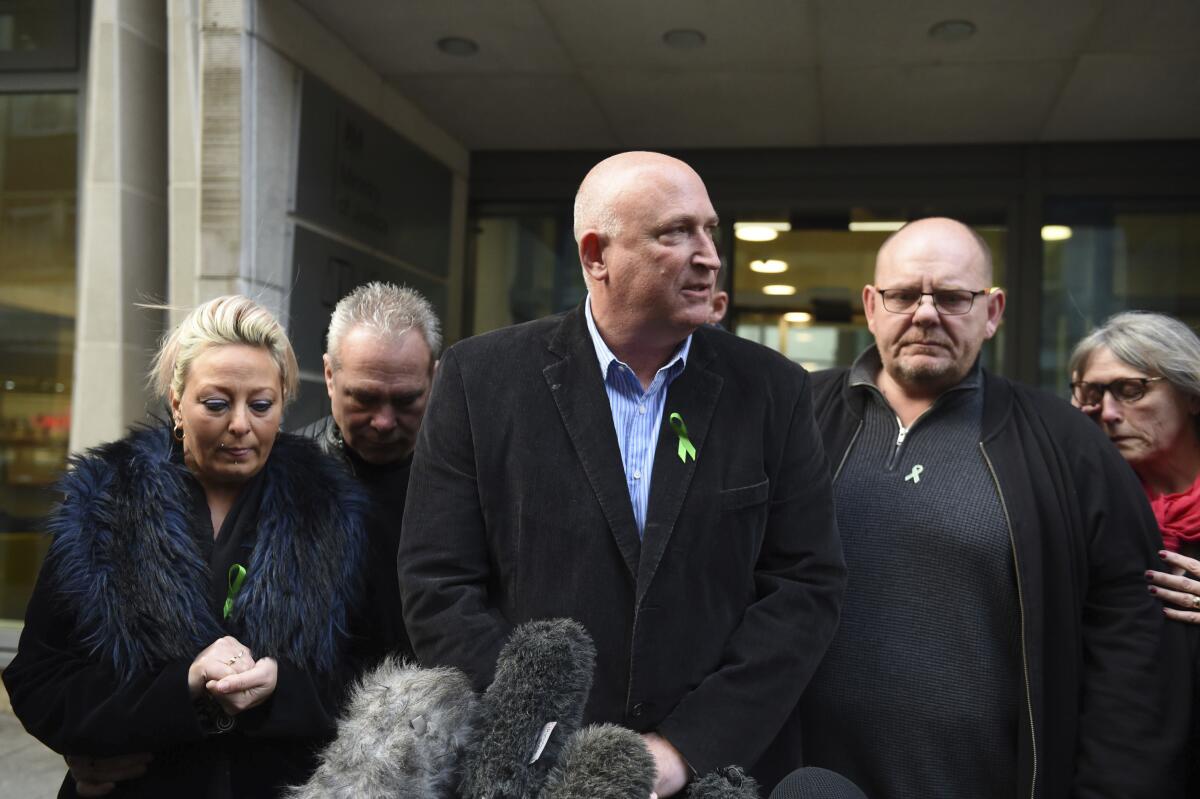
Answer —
(518, 509)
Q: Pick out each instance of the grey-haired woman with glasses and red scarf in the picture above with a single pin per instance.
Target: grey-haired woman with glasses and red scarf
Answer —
(1139, 379)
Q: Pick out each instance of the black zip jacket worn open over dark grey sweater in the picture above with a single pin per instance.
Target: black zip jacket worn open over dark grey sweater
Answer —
(1108, 682)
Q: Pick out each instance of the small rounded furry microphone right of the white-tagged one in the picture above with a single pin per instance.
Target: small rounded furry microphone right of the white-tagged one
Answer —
(602, 762)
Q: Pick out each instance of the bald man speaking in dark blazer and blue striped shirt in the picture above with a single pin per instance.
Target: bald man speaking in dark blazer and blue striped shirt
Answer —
(627, 466)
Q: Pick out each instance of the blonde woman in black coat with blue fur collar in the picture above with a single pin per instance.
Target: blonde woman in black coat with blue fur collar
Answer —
(197, 598)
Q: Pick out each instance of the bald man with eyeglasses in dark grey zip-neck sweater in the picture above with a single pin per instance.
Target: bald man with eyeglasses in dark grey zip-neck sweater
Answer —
(997, 639)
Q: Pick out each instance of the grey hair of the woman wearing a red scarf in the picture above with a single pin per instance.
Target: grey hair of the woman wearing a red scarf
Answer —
(1154, 344)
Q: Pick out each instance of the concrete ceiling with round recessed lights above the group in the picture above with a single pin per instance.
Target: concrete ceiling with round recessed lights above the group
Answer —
(572, 75)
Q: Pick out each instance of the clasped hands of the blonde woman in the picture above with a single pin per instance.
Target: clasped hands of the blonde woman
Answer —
(229, 672)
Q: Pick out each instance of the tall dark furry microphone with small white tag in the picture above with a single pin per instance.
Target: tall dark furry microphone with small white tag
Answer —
(536, 704)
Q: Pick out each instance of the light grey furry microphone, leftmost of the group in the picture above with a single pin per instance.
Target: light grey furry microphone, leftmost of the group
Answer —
(403, 735)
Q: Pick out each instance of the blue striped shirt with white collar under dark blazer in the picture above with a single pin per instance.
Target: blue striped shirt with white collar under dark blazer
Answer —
(637, 414)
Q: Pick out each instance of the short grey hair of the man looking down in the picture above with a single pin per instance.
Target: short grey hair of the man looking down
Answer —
(387, 310)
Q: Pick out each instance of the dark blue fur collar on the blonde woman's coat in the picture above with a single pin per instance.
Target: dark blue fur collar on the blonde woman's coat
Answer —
(125, 562)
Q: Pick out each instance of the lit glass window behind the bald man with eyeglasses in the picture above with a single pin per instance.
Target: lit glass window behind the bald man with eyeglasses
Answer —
(801, 292)
